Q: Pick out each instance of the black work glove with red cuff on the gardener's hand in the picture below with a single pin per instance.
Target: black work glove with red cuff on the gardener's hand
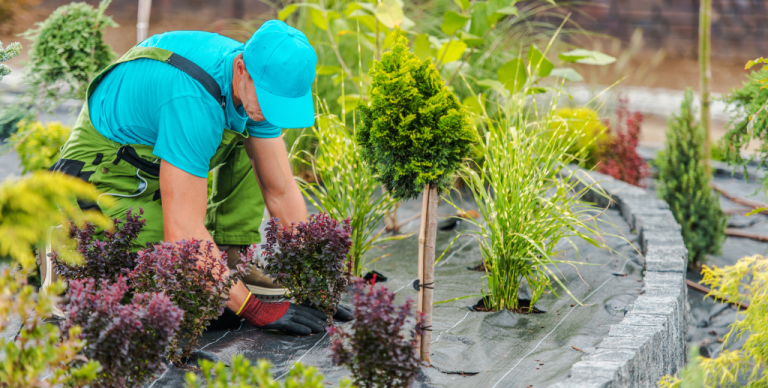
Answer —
(284, 316)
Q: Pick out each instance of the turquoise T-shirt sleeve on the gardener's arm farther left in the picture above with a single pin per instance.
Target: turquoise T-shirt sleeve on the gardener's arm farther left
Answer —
(189, 132)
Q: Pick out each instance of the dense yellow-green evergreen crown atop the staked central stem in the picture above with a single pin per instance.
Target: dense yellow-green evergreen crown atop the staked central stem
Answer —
(414, 131)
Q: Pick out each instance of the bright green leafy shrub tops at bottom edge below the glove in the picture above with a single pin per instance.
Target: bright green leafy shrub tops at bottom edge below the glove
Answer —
(243, 375)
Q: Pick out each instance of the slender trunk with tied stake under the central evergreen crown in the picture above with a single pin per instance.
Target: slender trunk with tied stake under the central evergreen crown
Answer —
(427, 238)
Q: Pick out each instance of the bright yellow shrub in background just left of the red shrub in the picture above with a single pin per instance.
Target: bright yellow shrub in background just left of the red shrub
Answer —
(590, 129)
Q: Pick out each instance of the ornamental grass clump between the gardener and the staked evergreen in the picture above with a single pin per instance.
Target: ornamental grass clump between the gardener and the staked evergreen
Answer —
(348, 190)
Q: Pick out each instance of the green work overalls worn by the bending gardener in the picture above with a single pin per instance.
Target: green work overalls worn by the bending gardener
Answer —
(129, 173)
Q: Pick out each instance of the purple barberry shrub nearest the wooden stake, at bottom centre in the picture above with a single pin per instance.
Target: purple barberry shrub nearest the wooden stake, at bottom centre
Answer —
(380, 350)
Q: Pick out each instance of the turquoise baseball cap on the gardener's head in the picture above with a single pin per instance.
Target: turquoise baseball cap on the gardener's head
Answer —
(282, 64)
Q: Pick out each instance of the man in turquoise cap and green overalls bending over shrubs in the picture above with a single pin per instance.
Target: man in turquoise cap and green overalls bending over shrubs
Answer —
(181, 104)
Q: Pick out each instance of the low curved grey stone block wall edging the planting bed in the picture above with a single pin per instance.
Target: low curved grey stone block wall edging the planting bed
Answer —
(650, 341)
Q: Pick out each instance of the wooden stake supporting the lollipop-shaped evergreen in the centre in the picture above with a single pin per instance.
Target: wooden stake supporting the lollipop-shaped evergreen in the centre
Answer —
(429, 270)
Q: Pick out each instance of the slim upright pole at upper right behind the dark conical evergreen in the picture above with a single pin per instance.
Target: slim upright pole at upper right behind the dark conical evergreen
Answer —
(705, 71)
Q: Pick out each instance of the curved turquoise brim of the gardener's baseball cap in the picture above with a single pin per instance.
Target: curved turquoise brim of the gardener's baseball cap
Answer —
(286, 112)
